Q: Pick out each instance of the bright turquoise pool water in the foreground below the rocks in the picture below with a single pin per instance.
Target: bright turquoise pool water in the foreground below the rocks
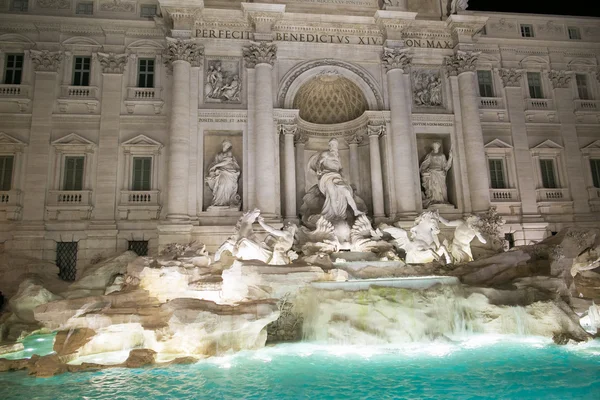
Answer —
(483, 367)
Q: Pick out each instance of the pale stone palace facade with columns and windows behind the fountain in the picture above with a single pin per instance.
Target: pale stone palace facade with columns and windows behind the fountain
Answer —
(278, 79)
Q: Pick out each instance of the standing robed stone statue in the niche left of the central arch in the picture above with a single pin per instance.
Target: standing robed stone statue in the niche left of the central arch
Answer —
(222, 179)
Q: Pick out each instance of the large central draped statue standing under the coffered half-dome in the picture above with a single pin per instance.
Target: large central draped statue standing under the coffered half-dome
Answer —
(338, 193)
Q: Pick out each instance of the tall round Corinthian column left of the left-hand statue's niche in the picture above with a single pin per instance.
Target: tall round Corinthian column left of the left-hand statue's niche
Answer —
(180, 55)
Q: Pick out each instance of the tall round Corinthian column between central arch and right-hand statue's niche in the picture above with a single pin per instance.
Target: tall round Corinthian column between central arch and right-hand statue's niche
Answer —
(402, 140)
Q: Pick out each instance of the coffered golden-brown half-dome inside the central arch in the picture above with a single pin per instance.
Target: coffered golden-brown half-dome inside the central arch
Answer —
(330, 99)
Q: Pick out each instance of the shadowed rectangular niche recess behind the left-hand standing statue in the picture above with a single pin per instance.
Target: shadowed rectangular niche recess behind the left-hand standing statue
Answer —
(213, 144)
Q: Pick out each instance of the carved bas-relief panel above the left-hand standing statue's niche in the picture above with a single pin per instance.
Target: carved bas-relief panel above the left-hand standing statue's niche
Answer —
(222, 80)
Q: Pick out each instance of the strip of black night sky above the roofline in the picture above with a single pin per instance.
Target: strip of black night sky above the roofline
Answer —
(557, 7)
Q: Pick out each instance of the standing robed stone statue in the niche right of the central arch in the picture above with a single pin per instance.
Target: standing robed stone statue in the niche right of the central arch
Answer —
(433, 170)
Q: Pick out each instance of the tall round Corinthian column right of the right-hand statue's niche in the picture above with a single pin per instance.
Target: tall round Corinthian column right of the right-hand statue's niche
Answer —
(463, 65)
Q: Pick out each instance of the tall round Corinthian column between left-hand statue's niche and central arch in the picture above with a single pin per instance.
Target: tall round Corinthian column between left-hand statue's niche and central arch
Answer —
(261, 56)
